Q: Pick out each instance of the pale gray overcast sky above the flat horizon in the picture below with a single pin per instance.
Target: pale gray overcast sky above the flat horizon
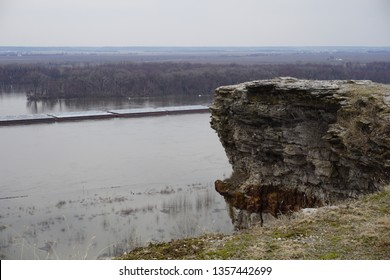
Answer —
(194, 22)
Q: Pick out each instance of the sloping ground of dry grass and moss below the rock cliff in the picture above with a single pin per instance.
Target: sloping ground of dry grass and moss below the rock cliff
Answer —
(358, 229)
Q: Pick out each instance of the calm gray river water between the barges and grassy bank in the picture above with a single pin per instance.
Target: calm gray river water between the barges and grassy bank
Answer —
(93, 189)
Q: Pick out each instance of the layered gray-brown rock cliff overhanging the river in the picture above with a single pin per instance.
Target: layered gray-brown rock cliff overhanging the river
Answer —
(300, 143)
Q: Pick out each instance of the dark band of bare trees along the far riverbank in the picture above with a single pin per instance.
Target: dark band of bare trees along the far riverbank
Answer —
(48, 81)
